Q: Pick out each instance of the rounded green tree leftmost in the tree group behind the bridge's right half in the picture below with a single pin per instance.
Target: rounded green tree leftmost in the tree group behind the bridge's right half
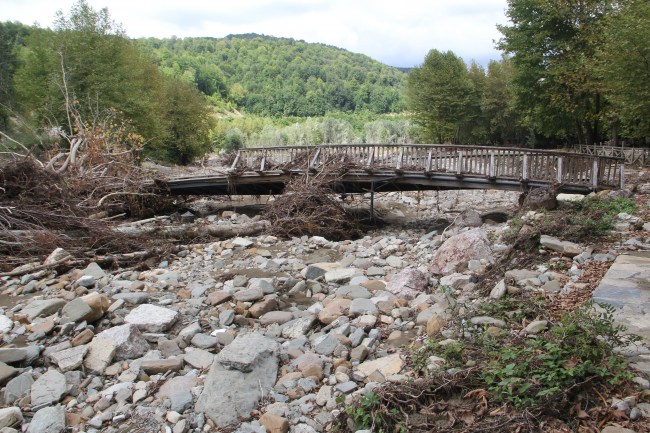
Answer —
(439, 92)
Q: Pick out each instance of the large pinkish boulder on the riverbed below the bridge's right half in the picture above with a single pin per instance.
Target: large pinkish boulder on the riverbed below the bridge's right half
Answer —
(458, 250)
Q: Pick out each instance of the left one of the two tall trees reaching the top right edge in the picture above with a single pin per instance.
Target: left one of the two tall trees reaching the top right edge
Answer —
(552, 43)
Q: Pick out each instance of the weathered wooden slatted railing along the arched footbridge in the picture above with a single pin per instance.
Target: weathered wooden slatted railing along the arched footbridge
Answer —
(524, 165)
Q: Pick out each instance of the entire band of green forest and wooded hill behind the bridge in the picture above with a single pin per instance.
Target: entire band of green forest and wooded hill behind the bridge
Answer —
(567, 75)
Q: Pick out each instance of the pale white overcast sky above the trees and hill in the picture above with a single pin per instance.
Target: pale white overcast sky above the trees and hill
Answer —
(398, 33)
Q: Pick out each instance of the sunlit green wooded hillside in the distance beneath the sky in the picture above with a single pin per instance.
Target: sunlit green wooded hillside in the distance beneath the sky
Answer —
(276, 77)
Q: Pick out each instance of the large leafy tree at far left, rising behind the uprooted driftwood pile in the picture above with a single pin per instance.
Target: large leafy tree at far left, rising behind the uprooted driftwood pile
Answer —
(87, 58)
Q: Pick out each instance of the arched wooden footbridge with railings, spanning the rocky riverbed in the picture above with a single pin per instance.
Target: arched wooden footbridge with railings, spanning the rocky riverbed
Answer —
(359, 168)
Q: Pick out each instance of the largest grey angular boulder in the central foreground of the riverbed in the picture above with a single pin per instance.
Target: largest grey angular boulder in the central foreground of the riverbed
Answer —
(244, 371)
